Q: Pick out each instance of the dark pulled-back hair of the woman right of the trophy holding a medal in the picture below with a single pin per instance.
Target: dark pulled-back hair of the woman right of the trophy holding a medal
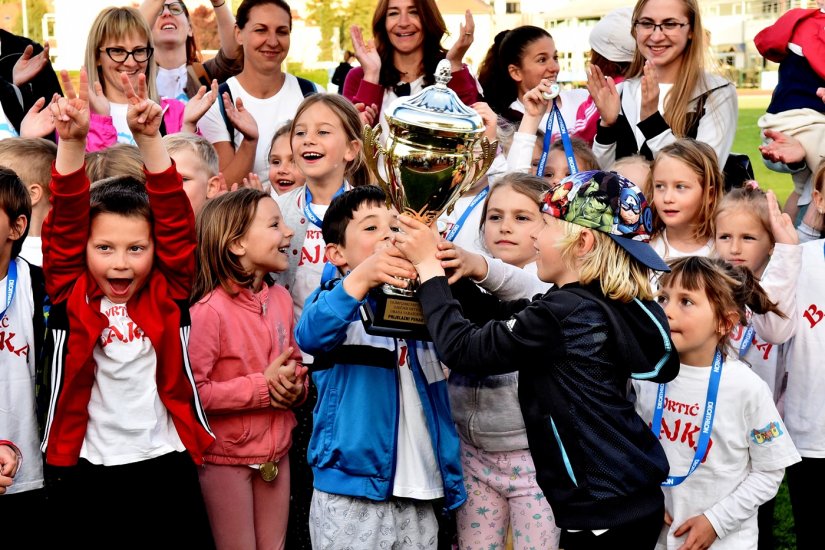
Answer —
(508, 48)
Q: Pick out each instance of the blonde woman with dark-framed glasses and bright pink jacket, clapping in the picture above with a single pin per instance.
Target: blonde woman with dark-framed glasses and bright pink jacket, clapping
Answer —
(120, 46)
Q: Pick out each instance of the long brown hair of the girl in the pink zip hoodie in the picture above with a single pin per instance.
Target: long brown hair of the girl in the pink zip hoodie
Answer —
(222, 221)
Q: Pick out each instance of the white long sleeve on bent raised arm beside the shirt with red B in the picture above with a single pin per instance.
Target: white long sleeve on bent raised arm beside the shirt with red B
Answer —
(780, 281)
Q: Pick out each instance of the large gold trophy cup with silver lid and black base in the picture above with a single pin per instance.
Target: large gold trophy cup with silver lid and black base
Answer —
(435, 152)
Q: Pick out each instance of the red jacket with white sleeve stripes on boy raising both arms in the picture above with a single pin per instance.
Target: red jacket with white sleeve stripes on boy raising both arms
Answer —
(160, 308)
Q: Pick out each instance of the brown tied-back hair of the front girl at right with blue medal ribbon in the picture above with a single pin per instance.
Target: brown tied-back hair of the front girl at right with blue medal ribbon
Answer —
(730, 289)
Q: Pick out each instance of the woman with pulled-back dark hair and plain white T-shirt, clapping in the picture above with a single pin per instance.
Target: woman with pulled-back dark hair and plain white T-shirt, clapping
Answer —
(260, 98)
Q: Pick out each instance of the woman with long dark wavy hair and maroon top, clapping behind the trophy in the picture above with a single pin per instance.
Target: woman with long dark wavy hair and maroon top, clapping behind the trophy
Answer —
(401, 58)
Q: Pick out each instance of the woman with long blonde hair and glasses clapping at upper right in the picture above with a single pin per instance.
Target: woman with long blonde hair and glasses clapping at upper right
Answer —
(669, 94)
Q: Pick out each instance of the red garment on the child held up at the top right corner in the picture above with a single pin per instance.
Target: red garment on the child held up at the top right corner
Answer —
(806, 28)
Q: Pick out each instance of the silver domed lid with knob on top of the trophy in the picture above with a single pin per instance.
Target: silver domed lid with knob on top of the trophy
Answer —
(435, 108)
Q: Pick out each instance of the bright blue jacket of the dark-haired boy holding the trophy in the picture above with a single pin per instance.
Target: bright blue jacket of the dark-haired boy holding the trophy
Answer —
(354, 437)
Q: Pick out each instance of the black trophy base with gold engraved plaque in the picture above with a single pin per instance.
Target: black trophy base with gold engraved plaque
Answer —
(394, 316)
